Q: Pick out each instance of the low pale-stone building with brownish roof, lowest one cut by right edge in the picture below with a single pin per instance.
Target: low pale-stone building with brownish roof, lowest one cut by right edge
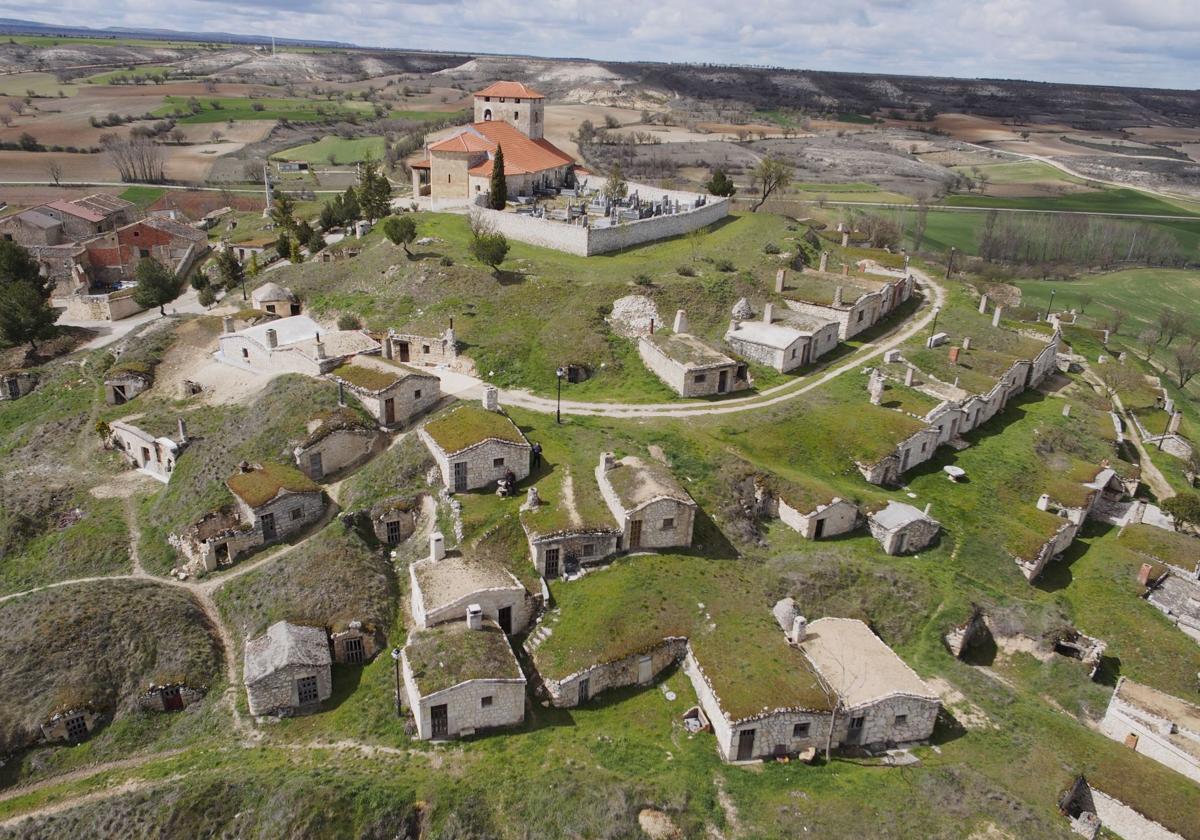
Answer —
(1157, 725)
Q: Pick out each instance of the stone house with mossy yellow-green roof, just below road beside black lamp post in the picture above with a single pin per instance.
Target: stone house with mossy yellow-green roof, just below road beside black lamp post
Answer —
(476, 447)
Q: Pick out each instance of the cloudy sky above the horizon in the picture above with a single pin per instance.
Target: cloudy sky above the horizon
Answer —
(1125, 43)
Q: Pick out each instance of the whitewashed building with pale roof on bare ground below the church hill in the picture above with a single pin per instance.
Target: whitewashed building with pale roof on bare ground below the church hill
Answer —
(295, 345)
